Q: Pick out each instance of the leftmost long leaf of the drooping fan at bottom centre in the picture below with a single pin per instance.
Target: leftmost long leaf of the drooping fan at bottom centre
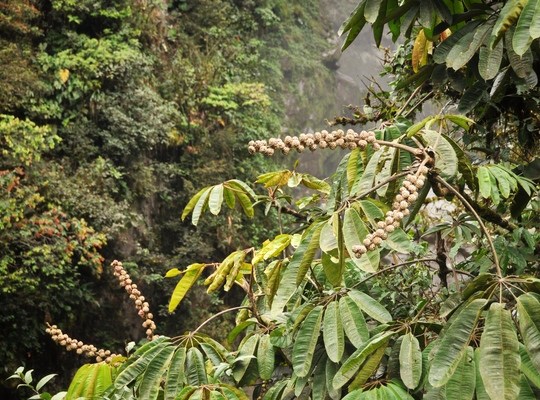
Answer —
(306, 341)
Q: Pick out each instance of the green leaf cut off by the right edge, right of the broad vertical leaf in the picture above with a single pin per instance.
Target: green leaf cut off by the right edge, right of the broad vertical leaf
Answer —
(528, 308)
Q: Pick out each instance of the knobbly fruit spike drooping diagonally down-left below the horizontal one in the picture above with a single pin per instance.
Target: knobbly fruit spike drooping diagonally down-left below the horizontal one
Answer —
(400, 208)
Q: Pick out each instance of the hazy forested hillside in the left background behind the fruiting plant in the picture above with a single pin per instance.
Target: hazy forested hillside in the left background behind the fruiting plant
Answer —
(113, 113)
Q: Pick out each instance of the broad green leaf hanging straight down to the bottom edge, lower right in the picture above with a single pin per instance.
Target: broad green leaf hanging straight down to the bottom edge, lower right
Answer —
(499, 355)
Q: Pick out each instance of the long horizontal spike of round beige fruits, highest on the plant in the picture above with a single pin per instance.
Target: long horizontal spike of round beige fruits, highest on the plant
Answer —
(312, 141)
